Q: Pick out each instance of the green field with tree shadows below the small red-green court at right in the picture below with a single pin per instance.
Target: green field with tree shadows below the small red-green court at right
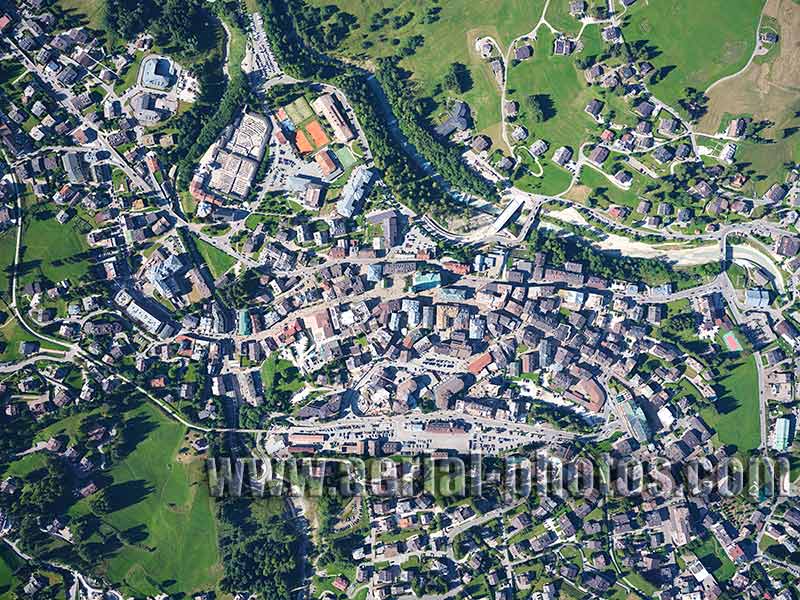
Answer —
(737, 416)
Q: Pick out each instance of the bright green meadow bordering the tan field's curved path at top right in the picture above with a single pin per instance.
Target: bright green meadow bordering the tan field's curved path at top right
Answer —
(697, 42)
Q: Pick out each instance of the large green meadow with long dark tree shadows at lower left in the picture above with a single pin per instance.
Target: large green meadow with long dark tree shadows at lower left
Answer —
(166, 503)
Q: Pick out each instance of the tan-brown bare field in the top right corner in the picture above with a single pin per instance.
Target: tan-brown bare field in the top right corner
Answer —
(768, 90)
